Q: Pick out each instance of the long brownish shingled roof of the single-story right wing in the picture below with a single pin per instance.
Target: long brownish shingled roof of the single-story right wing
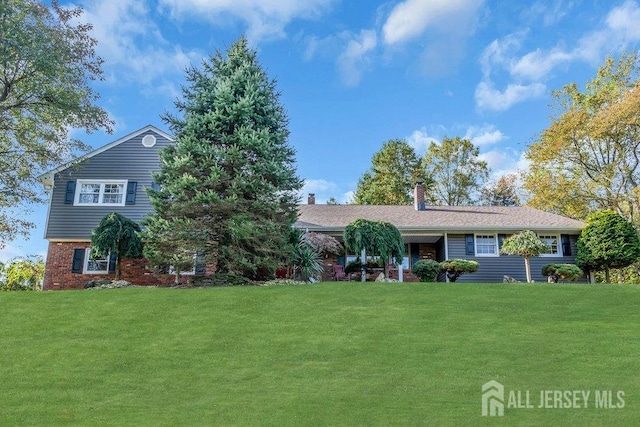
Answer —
(436, 219)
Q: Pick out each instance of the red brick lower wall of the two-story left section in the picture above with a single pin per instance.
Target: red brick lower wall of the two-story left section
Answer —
(58, 273)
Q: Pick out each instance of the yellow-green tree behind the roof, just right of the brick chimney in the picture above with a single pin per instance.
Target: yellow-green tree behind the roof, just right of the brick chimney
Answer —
(456, 171)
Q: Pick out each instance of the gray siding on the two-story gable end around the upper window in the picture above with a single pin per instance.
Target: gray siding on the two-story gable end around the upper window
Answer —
(128, 160)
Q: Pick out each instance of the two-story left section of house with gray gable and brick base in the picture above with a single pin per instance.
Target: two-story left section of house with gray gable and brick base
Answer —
(112, 178)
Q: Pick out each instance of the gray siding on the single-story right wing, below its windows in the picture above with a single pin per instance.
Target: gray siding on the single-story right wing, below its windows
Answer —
(494, 268)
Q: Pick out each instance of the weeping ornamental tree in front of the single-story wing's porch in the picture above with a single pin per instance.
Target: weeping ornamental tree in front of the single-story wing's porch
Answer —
(376, 238)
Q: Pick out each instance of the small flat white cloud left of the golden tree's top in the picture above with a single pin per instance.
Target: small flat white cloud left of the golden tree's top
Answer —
(487, 97)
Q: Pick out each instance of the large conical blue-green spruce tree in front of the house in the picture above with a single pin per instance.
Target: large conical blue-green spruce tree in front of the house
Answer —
(229, 183)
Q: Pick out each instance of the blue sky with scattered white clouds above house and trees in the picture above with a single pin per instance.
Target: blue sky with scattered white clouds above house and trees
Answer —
(354, 74)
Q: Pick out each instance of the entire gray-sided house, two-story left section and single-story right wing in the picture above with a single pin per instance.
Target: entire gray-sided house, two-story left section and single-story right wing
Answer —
(114, 178)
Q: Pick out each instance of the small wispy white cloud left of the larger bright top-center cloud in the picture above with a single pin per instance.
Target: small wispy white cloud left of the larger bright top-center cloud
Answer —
(356, 56)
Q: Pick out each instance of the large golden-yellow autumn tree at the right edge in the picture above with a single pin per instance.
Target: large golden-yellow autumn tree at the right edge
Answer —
(587, 160)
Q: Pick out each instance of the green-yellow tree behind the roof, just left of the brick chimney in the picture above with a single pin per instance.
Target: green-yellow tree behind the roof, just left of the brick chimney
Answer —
(394, 171)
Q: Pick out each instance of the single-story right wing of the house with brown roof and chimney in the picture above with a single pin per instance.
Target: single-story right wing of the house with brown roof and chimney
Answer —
(447, 232)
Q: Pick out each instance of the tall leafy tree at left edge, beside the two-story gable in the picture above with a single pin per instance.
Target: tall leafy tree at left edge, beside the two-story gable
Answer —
(46, 63)
